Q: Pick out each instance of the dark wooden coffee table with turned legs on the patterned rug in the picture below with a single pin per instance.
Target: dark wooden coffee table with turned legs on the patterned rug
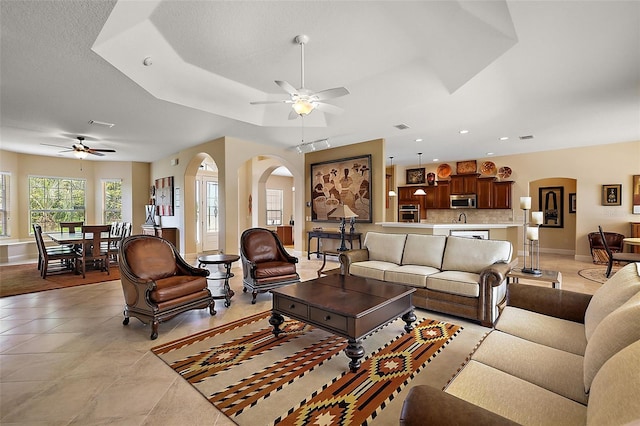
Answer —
(347, 306)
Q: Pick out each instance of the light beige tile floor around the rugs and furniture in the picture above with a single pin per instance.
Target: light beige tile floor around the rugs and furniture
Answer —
(66, 358)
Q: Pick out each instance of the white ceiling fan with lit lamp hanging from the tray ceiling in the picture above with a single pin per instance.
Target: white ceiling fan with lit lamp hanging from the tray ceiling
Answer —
(303, 100)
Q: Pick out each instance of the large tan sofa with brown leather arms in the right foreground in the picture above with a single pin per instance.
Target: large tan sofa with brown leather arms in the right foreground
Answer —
(555, 357)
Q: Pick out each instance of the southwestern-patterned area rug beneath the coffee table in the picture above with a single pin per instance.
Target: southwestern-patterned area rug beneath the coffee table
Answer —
(302, 377)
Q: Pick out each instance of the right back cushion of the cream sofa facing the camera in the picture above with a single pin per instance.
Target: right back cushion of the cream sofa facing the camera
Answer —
(473, 255)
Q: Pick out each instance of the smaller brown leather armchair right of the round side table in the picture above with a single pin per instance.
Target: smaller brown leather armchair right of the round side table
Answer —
(265, 262)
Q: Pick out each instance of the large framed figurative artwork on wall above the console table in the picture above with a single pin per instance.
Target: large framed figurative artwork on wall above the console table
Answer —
(345, 181)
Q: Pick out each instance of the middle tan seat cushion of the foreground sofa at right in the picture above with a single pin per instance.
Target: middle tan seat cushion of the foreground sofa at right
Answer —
(547, 367)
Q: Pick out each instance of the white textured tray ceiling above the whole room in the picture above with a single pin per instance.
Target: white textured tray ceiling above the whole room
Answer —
(566, 72)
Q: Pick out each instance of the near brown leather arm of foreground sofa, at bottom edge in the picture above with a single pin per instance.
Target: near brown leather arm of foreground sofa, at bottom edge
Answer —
(426, 405)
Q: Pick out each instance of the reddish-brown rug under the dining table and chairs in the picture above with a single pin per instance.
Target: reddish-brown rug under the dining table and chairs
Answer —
(25, 278)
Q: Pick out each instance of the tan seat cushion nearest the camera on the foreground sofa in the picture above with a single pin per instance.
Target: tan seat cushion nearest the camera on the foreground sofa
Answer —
(514, 398)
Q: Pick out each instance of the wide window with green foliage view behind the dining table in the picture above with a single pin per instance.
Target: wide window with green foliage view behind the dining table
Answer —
(54, 200)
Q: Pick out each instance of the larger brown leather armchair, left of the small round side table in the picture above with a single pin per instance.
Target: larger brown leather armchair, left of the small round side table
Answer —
(157, 282)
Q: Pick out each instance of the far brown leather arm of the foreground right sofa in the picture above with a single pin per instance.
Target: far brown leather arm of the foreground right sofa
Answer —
(554, 302)
